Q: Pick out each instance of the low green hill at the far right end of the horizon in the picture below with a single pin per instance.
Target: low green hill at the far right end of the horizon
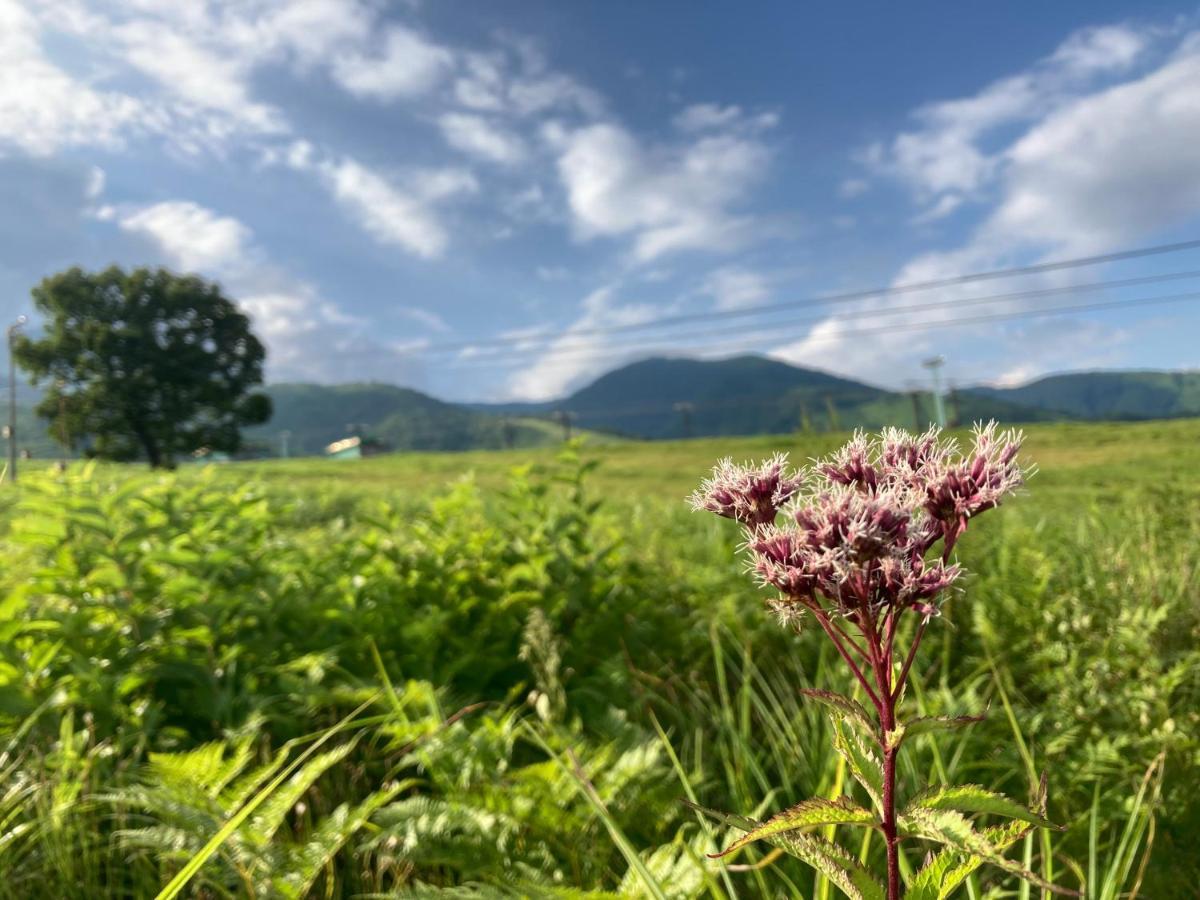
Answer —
(1109, 395)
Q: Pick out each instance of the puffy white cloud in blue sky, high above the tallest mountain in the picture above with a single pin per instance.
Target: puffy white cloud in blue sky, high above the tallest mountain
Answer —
(667, 199)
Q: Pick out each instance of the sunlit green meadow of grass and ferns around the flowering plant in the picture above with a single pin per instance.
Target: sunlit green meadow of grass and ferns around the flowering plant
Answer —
(497, 674)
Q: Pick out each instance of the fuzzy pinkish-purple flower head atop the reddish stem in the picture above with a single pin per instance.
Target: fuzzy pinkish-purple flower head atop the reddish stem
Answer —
(859, 529)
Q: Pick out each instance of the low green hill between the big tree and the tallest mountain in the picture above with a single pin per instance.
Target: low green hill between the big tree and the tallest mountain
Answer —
(404, 419)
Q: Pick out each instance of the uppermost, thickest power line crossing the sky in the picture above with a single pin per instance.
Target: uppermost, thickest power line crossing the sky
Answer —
(827, 299)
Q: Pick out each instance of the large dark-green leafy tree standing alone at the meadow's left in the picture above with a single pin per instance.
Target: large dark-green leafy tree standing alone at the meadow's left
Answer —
(145, 364)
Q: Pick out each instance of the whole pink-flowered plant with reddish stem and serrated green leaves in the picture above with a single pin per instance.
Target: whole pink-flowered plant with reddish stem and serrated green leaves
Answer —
(862, 543)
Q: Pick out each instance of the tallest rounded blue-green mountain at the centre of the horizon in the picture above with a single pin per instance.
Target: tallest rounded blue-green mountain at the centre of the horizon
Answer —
(661, 399)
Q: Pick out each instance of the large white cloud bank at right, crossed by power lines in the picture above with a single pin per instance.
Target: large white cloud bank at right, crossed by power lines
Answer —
(1093, 171)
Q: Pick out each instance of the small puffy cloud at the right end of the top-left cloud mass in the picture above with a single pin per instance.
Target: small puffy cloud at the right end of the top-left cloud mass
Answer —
(405, 67)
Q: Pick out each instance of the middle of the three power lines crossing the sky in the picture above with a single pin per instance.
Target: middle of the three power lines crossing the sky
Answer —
(657, 340)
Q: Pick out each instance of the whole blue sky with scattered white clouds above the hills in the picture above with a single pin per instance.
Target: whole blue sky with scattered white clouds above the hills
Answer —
(467, 197)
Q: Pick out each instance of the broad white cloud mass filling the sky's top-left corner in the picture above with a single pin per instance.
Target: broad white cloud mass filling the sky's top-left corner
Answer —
(197, 64)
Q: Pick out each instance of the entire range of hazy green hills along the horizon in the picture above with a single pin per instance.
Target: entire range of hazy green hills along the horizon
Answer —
(663, 399)
